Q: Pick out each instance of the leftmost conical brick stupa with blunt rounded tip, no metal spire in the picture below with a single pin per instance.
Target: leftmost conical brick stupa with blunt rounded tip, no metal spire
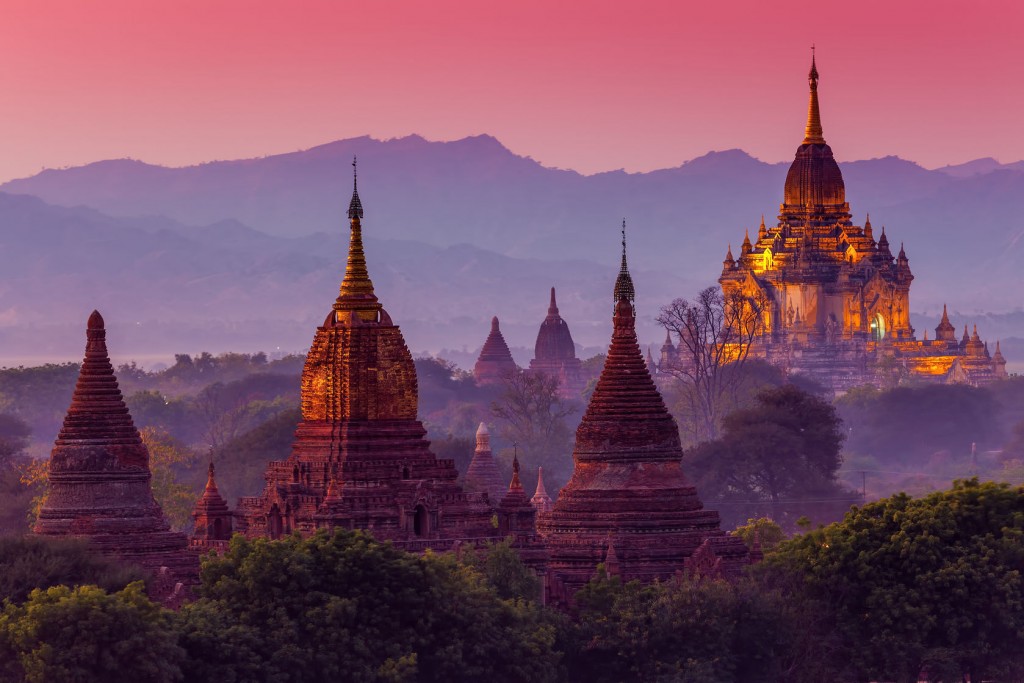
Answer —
(99, 486)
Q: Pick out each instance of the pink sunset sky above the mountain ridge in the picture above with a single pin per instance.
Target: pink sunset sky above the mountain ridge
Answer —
(593, 86)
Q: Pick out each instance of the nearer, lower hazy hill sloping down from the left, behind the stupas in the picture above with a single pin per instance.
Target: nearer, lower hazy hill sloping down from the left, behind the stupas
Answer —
(166, 288)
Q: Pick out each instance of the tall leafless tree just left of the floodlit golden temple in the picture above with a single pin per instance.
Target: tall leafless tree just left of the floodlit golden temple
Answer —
(715, 332)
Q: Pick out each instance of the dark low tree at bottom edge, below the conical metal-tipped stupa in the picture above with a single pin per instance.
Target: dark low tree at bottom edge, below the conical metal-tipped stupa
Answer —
(698, 631)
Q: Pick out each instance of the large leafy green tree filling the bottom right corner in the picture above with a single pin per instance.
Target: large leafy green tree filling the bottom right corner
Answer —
(912, 585)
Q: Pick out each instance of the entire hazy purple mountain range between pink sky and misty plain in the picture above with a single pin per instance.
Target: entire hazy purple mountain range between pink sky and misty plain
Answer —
(247, 255)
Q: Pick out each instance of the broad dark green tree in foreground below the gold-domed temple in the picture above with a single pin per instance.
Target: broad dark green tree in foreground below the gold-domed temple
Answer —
(345, 607)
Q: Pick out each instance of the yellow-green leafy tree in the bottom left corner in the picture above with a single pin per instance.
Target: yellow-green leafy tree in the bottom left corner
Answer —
(64, 635)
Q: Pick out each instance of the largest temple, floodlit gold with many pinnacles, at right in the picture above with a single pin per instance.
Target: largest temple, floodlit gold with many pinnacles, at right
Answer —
(837, 303)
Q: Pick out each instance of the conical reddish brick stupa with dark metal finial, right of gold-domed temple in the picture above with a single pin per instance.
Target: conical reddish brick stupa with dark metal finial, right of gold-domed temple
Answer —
(629, 505)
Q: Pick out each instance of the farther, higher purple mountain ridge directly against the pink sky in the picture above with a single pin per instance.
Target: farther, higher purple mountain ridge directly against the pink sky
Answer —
(961, 229)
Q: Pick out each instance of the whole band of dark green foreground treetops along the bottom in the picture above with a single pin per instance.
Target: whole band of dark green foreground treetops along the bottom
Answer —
(903, 590)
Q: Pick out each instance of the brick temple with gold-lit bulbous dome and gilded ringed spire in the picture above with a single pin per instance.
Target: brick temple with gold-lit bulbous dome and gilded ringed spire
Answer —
(361, 458)
